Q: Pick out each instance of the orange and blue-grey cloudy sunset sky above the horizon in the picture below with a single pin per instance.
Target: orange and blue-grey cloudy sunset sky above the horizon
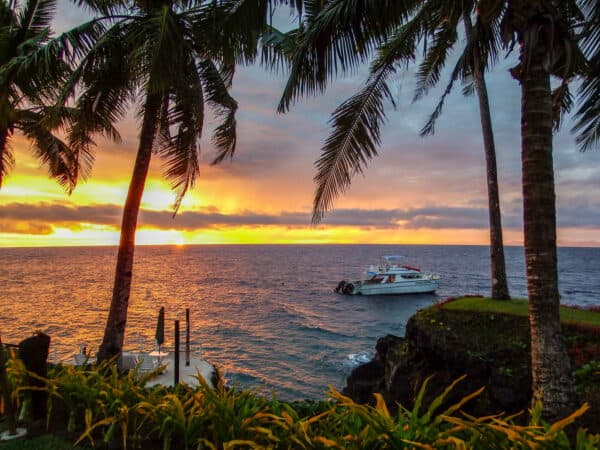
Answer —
(417, 191)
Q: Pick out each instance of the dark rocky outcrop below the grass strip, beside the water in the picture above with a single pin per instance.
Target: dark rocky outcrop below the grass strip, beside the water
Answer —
(491, 349)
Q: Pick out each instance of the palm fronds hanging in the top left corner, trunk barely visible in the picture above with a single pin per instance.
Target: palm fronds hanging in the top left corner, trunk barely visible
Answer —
(31, 72)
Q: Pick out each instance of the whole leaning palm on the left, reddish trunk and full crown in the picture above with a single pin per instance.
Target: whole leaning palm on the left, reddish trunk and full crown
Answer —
(171, 58)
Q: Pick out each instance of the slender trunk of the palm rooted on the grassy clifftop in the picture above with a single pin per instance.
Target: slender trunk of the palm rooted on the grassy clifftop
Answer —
(498, 265)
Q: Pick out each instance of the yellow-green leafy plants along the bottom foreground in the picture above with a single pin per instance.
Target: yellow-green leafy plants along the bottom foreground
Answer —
(119, 410)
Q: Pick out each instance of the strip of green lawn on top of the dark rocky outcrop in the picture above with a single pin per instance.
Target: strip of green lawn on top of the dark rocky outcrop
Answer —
(519, 307)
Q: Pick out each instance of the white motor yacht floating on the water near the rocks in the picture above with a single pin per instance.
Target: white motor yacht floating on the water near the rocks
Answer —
(389, 277)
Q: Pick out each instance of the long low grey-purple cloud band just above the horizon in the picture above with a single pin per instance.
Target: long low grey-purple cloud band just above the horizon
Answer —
(35, 219)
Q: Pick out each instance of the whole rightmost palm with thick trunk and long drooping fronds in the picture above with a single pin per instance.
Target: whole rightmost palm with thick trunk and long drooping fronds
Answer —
(340, 34)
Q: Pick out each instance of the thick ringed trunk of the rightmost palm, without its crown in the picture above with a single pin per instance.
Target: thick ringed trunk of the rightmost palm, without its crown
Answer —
(551, 371)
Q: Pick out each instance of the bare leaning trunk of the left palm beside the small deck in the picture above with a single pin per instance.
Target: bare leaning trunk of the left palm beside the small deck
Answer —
(114, 334)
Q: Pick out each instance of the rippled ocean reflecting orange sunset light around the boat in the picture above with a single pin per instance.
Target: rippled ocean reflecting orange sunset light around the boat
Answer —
(266, 315)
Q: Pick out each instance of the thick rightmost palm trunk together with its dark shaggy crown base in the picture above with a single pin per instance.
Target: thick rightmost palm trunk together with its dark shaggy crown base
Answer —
(548, 47)
